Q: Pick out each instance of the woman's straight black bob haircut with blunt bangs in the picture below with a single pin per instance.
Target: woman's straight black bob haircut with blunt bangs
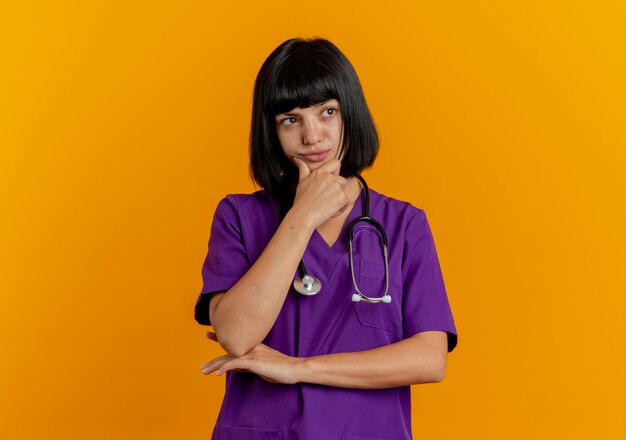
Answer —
(301, 73)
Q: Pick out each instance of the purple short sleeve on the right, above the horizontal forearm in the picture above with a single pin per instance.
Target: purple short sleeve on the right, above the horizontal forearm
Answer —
(425, 301)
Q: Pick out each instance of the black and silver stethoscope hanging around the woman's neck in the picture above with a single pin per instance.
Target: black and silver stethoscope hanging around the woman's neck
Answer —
(308, 285)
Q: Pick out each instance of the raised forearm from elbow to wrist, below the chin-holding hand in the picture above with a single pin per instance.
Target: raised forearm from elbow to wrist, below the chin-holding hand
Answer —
(244, 315)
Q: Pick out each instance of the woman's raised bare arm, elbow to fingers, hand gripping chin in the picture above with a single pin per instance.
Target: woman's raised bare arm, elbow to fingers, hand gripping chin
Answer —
(245, 314)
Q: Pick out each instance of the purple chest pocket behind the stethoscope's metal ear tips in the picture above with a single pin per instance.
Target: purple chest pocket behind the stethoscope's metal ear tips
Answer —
(372, 283)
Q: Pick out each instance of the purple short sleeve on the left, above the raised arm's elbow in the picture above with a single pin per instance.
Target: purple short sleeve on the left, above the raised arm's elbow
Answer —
(226, 261)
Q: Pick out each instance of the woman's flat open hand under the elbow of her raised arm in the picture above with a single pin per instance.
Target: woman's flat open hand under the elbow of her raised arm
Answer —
(271, 365)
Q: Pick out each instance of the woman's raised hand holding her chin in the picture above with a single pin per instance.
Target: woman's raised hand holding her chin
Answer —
(321, 194)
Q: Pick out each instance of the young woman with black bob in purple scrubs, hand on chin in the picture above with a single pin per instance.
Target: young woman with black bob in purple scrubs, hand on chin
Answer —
(323, 337)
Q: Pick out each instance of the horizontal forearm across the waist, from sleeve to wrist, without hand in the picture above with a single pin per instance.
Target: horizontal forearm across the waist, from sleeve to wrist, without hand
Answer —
(419, 359)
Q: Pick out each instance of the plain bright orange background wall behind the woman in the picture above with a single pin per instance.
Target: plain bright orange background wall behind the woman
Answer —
(122, 124)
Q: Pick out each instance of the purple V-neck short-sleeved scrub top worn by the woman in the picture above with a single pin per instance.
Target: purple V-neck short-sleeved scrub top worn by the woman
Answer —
(329, 322)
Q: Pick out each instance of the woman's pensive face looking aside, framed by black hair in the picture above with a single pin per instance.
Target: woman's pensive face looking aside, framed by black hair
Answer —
(312, 134)
